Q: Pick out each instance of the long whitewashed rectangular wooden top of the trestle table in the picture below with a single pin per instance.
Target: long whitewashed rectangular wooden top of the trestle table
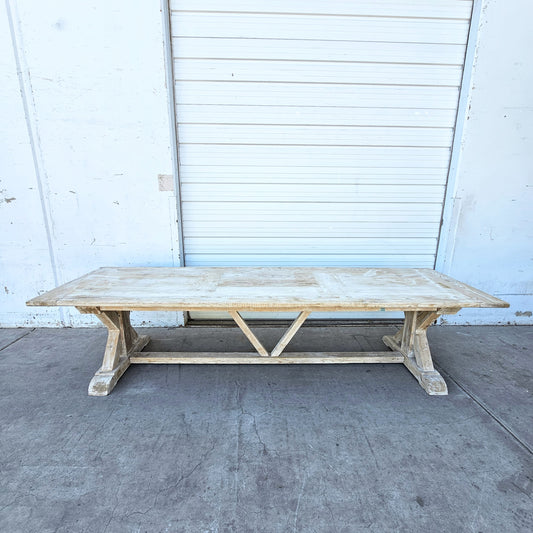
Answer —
(266, 289)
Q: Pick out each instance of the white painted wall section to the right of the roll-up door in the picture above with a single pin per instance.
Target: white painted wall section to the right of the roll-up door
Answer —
(490, 244)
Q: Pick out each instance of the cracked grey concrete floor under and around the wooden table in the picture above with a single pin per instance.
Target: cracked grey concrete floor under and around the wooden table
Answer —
(266, 448)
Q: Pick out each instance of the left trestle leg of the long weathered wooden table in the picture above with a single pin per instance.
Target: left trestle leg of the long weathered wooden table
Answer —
(122, 341)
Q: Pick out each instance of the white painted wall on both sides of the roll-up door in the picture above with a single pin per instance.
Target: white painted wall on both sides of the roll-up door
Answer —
(85, 193)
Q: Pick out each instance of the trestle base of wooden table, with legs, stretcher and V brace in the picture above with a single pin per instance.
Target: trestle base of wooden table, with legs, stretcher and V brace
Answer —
(124, 347)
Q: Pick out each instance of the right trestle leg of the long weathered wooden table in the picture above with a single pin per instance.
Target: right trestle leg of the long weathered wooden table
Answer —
(411, 341)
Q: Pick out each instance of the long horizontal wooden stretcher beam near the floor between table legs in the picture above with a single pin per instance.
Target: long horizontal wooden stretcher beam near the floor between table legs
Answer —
(240, 358)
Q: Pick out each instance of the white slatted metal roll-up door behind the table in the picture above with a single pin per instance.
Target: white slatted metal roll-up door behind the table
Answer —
(315, 133)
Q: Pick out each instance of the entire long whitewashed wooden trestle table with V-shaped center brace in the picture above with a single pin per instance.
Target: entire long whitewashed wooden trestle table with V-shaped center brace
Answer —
(422, 294)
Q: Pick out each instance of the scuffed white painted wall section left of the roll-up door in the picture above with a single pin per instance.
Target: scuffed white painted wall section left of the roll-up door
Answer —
(93, 81)
